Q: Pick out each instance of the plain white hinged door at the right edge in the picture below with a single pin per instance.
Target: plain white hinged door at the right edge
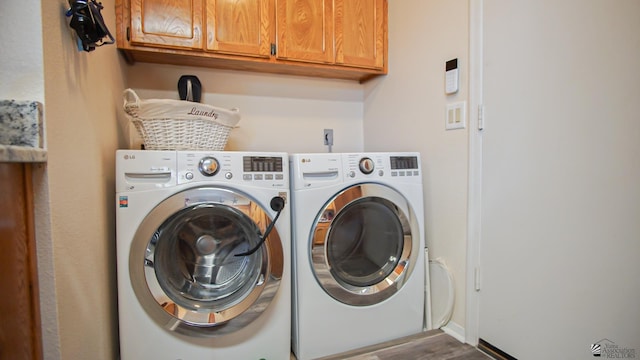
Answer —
(561, 174)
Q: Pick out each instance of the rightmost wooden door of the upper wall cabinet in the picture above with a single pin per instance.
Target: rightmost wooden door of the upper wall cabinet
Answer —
(360, 32)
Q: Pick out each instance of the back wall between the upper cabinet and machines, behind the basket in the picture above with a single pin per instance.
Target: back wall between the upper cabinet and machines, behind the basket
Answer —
(278, 113)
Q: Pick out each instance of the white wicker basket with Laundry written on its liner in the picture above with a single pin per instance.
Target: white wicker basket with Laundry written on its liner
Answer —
(166, 124)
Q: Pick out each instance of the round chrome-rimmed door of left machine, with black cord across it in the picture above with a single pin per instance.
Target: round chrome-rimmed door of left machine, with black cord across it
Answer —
(184, 267)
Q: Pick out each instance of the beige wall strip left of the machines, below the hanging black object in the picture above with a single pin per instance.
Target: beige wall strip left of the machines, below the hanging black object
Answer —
(82, 92)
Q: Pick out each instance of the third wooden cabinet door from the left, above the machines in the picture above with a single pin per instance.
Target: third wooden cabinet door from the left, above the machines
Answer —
(305, 30)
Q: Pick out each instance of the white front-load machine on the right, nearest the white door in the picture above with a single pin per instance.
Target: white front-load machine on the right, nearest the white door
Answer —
(358, 246)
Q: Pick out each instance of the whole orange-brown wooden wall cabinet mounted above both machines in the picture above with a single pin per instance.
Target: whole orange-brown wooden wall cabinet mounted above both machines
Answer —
(322, 38)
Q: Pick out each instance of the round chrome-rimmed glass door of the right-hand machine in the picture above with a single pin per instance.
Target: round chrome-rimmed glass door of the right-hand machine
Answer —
(364, 244)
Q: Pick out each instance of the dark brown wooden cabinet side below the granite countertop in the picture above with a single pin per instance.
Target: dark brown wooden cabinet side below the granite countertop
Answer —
(20, 334)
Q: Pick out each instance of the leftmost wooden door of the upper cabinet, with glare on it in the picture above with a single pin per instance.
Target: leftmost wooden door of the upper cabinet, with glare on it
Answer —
(170, 23)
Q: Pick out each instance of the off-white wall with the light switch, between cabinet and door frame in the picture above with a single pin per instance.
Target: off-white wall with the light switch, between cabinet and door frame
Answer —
(404, 111)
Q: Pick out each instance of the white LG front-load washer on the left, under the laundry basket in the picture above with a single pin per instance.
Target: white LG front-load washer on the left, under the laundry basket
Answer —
(203, 249)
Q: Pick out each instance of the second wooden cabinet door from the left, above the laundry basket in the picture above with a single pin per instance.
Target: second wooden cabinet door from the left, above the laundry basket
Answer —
(244, 27)
